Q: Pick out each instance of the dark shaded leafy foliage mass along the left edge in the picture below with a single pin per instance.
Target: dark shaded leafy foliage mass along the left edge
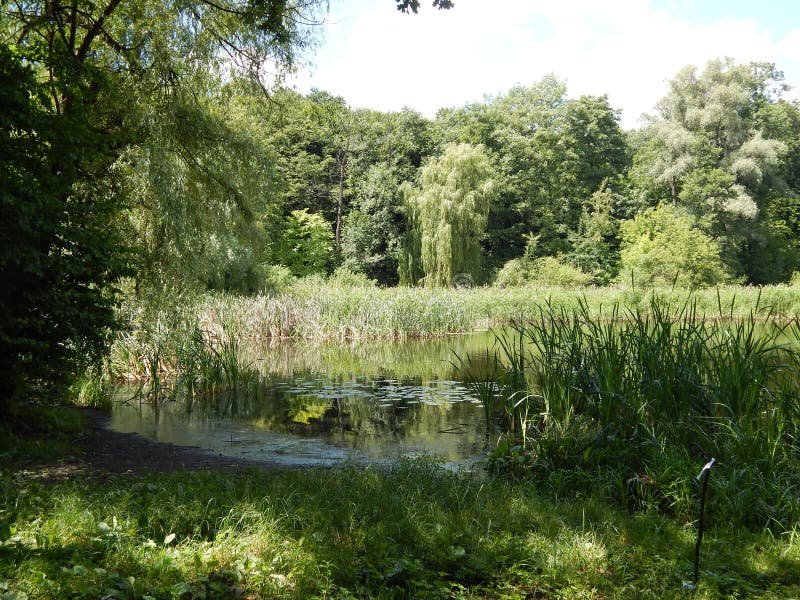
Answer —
(60, 248)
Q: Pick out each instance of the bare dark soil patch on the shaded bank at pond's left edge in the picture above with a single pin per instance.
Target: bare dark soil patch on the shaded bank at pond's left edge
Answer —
(103, 452)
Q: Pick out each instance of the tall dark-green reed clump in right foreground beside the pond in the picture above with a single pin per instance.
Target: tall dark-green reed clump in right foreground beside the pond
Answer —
(627, 403)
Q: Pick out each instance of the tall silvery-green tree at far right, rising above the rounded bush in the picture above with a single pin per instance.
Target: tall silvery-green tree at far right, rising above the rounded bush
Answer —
(724, 140)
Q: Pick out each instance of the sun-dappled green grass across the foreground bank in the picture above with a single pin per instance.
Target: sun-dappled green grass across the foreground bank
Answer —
(408, 532)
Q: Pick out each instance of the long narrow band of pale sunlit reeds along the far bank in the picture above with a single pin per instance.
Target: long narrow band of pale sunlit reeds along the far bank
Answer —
(320, 311)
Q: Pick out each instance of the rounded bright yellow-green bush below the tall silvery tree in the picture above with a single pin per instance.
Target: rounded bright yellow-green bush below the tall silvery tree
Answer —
(662, 248)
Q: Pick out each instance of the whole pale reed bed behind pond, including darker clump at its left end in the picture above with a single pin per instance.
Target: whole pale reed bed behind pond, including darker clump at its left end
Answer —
(198, 337)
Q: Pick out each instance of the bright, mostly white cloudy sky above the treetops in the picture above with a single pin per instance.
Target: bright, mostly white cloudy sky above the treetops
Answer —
(375, 57)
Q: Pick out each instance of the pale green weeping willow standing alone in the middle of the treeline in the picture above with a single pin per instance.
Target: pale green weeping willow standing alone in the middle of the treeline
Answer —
(447, 215)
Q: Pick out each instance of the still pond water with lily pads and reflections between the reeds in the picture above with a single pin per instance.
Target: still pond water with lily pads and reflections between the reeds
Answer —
(323, 404)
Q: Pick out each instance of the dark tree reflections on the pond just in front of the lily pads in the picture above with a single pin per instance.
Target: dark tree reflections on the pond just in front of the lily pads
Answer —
(366, 422)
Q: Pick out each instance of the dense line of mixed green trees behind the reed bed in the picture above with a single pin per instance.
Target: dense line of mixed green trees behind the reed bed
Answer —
(529, 186)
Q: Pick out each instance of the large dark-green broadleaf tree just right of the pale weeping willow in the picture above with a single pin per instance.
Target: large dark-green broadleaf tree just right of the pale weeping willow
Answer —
(550, 153)
